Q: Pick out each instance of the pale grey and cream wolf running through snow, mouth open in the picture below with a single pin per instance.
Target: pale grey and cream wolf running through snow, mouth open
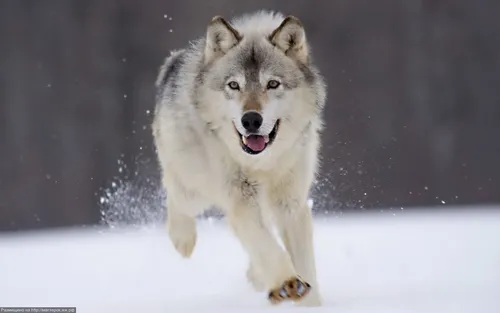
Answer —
(237, 126)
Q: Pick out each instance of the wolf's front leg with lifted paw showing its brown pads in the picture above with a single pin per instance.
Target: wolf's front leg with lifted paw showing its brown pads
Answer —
(269, 259)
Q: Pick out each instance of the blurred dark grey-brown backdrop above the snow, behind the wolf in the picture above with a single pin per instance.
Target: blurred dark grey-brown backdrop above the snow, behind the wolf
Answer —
(412, 118)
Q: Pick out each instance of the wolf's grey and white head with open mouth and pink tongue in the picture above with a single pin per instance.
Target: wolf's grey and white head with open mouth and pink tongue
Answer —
(258, 87)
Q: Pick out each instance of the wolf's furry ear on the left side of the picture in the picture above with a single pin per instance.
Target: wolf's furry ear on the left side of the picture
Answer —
(221, 37)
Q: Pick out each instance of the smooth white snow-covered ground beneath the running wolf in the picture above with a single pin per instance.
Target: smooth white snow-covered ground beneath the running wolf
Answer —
(410, 262)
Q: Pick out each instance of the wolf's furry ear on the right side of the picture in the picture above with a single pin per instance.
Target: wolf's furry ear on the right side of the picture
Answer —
(290, 37)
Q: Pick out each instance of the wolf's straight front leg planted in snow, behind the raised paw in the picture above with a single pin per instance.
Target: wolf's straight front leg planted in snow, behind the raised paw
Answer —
(295, 225)
